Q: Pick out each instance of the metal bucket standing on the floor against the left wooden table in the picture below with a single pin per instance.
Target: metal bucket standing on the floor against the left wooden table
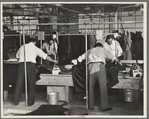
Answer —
(53, 98)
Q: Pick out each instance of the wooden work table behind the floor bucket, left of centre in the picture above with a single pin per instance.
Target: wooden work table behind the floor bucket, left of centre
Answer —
(61, 83)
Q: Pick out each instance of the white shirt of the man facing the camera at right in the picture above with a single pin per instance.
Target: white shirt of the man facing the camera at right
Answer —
(114, 48)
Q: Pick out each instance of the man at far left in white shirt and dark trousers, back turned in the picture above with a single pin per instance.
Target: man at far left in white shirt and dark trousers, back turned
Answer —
(31, 52)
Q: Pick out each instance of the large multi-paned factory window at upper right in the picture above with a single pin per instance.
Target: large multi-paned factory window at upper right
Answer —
(110, 17)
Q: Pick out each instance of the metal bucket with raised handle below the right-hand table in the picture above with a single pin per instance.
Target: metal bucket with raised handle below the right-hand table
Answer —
(128, 93)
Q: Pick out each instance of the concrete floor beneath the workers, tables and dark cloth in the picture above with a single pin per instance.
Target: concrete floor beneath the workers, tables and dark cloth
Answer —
(77, 107)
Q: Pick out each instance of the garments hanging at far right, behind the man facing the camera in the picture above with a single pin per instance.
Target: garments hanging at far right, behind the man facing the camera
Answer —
(132, 45)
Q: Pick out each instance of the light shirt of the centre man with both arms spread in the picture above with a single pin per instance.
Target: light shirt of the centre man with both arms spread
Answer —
(97, 54)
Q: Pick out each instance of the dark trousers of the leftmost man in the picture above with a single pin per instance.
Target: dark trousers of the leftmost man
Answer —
(31, 78)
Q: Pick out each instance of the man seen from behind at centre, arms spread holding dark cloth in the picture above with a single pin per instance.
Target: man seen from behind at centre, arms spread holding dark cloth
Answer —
(96, 71)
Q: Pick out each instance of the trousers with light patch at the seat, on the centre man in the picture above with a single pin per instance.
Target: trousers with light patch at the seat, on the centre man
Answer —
(97, 72)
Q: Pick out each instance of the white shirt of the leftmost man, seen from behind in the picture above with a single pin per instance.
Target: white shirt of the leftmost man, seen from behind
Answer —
(31, 52)
